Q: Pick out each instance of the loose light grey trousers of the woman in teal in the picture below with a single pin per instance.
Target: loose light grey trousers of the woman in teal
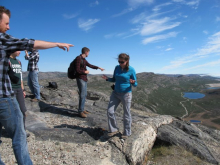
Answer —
(115, 99)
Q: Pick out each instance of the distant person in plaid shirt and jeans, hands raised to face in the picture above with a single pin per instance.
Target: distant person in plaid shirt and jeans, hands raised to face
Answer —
(33, 69)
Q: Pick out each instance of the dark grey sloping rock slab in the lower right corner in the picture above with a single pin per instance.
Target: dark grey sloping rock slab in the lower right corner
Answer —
(191, 138)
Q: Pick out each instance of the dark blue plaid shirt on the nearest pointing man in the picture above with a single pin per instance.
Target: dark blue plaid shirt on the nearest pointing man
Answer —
(9, 45)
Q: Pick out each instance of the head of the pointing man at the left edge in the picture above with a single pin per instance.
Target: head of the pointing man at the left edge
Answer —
(5, 15)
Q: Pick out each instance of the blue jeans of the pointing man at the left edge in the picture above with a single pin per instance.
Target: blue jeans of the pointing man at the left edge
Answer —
(12, 120)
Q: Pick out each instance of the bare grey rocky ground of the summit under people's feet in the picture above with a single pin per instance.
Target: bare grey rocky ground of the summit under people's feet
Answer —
(59, 136)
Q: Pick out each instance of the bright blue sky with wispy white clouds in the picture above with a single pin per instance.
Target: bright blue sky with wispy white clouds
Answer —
(161, 36)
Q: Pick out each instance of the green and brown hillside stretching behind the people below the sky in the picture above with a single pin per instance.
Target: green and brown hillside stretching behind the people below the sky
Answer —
(161, 94)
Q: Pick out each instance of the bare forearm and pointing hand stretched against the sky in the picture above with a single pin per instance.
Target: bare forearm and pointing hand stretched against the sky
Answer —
(46, 45)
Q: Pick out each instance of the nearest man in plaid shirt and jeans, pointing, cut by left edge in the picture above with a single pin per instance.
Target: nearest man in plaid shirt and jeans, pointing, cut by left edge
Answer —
(10, 115)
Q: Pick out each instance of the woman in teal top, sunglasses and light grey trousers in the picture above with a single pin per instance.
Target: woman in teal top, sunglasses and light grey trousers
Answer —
(124, 77)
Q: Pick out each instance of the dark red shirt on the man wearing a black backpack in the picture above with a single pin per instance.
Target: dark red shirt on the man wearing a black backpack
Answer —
(81, 68)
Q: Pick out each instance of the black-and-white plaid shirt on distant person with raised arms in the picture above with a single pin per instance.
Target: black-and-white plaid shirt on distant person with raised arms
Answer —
(33, 60)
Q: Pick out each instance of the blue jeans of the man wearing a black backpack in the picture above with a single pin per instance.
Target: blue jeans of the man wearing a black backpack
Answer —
(82, 86)
